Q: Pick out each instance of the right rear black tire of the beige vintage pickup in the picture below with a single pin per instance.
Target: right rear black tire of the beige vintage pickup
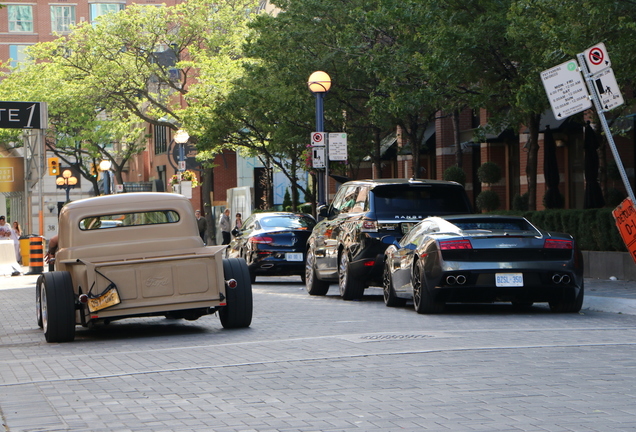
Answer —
(238, 311)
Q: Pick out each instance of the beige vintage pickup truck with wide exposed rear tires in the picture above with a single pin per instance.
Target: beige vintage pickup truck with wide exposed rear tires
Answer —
(137, 255)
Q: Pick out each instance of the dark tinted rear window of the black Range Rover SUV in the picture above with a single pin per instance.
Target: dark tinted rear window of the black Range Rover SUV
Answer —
(419, 201)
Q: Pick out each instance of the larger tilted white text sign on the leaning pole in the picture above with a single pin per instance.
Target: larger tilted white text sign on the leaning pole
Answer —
(566, 89)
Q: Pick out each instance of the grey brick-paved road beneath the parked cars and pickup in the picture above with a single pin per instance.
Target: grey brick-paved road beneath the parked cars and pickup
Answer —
(323, 364)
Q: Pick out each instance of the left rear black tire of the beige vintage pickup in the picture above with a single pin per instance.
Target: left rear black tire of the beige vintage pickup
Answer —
(57, 306)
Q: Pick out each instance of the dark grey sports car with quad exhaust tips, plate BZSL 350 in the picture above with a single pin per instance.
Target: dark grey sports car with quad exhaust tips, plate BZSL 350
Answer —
(482, 258)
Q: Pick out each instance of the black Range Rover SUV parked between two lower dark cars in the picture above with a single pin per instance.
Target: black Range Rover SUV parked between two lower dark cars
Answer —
(346, 245)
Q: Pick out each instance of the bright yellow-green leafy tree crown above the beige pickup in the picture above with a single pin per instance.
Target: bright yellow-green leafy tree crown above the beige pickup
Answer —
(143, 64)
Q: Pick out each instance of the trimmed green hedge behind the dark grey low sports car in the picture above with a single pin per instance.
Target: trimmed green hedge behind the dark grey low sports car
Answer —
(593, 229)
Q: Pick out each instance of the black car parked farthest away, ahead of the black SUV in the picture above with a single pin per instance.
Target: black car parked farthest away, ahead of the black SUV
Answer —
(273, 243)
